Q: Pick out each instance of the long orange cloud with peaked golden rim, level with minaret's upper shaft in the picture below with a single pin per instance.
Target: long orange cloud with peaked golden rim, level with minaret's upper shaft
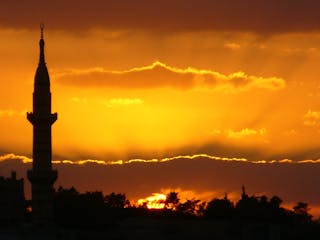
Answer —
(161, 75)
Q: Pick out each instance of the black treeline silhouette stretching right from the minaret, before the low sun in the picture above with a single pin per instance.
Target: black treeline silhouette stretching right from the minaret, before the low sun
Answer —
(95, 210)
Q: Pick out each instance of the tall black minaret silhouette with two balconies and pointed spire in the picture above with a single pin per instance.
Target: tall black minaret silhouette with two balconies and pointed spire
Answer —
(42, 176)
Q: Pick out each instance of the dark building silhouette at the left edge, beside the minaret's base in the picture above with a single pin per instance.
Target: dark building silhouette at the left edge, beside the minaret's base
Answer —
(12, 202)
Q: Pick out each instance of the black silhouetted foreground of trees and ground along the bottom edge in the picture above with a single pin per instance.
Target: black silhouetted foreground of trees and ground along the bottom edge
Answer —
(92, 215)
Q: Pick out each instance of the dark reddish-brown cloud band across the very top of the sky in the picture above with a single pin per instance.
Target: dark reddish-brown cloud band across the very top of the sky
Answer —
(262, 16)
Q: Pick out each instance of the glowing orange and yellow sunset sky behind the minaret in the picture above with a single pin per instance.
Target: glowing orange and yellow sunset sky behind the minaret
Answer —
(167, 80)
